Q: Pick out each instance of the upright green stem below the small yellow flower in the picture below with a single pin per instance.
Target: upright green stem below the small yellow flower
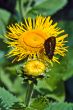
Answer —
(29, 93)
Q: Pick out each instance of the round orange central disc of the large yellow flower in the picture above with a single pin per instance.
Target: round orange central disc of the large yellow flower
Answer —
(32, 39)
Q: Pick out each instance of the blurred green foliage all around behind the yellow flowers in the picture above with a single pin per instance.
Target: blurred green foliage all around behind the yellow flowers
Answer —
(52, 87)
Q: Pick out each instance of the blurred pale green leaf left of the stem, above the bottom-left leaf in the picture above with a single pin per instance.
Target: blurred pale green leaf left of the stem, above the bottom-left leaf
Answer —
(15, 84)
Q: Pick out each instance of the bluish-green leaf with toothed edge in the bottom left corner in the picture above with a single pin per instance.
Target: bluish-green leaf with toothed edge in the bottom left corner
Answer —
(7, 99)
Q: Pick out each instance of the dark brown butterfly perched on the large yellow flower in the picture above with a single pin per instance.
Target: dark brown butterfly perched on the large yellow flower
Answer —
(49, 46)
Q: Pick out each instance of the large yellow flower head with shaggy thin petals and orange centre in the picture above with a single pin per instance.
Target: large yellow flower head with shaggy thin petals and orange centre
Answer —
(27, 39)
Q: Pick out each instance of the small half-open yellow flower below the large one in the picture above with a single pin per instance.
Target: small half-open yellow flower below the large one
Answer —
(34, 68)
